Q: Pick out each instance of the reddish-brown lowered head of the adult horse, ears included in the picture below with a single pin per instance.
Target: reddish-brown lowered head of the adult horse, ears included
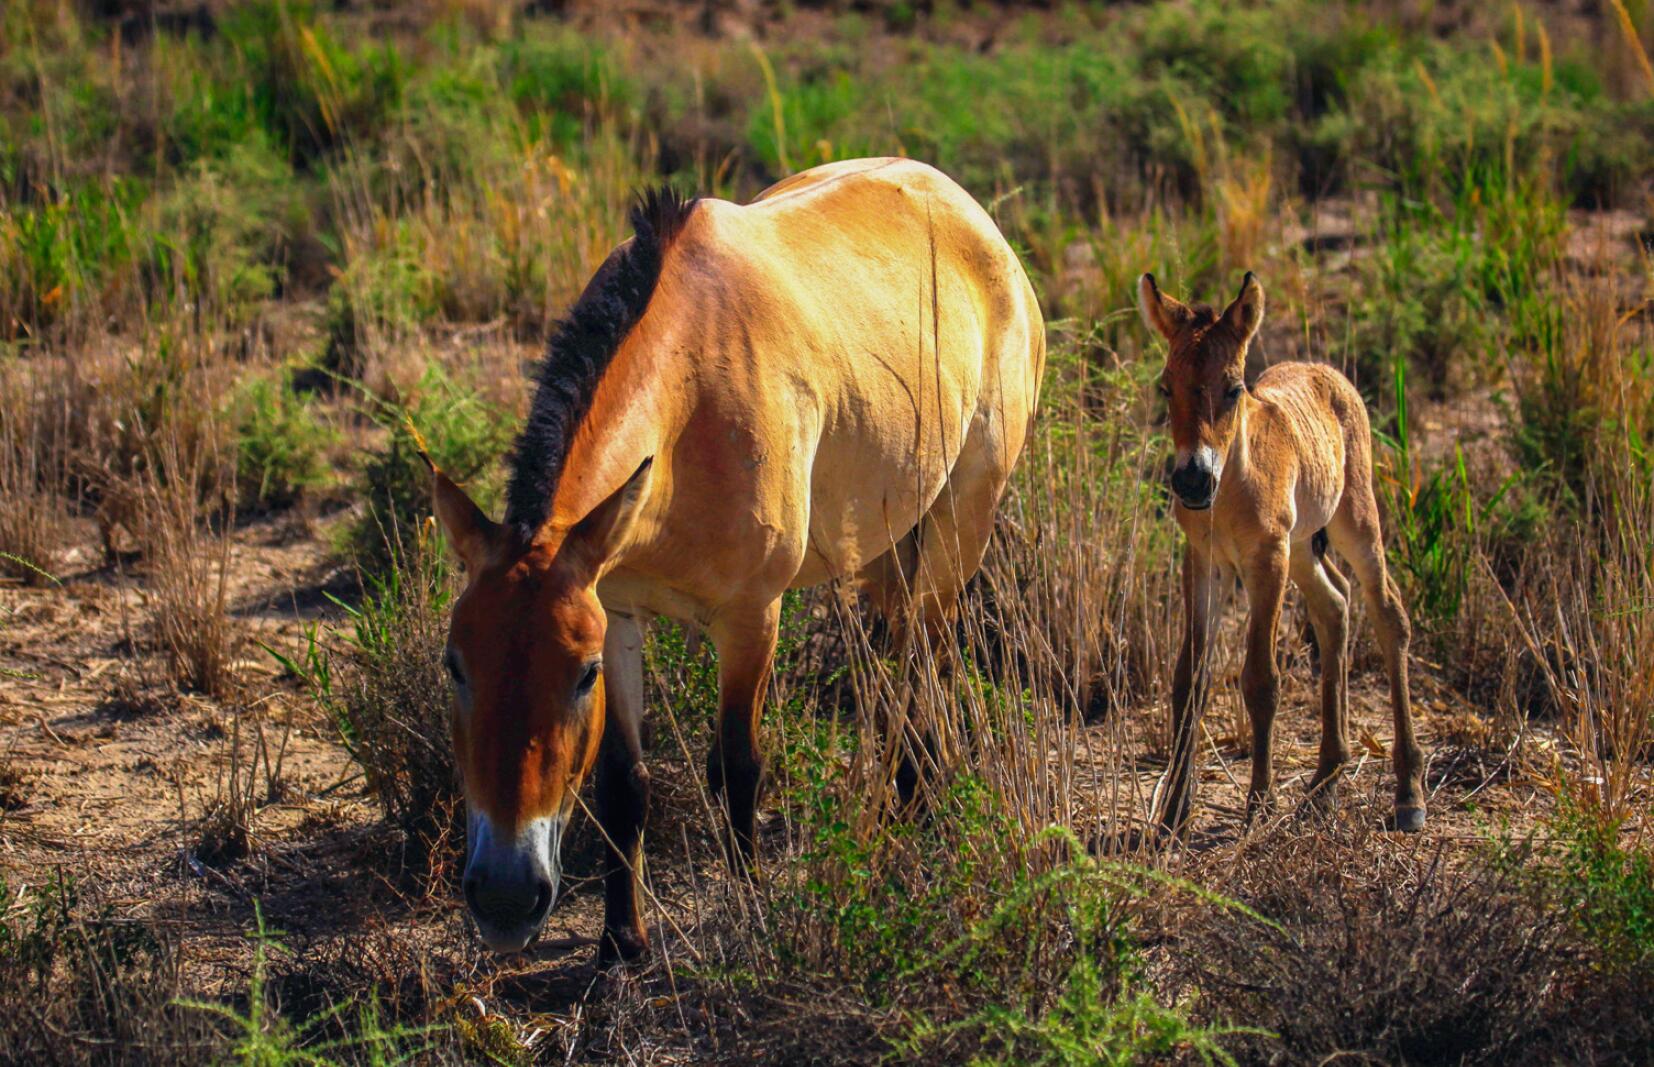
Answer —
(525, 653)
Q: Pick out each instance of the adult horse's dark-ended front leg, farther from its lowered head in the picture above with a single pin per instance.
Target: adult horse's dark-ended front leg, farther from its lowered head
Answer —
(747, 646)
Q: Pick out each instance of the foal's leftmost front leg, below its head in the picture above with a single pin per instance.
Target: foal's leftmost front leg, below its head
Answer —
(1203, 596)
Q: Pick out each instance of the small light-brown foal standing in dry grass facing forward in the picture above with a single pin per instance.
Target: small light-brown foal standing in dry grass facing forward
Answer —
(1264, 481)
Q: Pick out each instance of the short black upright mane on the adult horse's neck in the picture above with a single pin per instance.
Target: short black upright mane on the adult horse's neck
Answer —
(580, 352)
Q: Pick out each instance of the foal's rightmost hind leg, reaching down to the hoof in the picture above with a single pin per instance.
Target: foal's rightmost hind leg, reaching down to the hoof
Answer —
(1355, 533)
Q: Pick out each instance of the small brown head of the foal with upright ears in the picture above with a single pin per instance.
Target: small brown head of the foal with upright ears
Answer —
(1203, 383)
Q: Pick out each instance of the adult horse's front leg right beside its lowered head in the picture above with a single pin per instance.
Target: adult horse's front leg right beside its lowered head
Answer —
(623, 790)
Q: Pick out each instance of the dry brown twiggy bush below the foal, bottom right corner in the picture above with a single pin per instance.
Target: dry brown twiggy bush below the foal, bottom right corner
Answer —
(1402, 957)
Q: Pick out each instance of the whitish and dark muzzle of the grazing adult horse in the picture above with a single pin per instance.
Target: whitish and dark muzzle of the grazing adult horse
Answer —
(510, 884)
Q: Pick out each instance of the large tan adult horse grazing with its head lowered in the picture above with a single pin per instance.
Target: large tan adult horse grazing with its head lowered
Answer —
(829, 383)
